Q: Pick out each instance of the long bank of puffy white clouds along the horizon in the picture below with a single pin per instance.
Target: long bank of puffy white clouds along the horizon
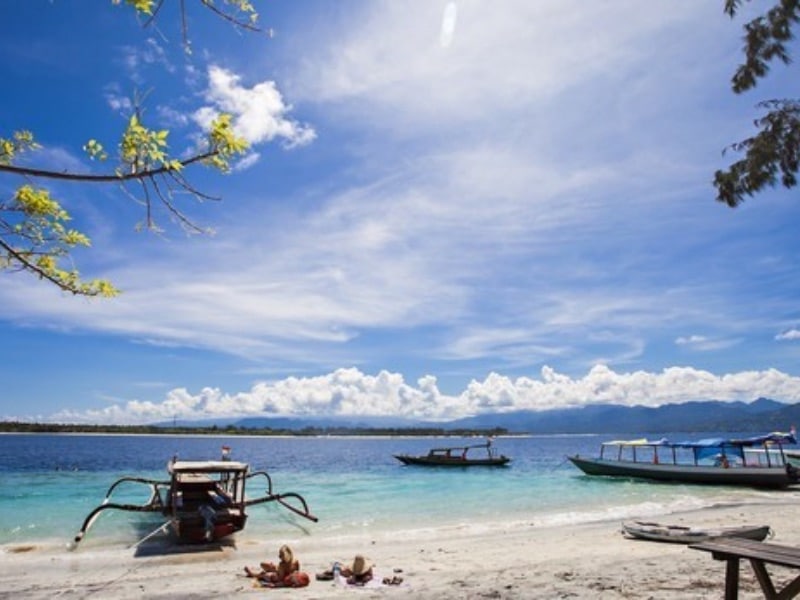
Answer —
(349, 392)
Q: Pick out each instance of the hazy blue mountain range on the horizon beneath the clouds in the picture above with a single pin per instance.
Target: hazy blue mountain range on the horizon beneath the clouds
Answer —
(761, 415)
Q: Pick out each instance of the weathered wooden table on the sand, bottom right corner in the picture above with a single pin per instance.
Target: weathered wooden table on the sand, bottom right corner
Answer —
(732, 550)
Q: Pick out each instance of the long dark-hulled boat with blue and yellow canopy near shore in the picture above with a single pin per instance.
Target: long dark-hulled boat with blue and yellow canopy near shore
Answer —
(755, 462)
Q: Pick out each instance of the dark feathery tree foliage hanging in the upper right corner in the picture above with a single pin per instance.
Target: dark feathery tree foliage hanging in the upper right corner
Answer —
(771, 155)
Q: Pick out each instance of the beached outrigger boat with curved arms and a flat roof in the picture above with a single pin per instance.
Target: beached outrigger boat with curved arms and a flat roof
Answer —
(204, 501)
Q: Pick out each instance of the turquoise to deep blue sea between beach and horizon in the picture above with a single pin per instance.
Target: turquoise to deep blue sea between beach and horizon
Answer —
(354, 485)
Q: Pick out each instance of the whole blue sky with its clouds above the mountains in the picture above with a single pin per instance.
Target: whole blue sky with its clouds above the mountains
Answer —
(448, 208)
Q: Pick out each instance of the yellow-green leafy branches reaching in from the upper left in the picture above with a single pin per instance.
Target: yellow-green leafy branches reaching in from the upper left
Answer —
(34, 233)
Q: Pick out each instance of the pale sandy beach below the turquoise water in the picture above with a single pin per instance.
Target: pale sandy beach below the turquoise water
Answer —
(525, 561)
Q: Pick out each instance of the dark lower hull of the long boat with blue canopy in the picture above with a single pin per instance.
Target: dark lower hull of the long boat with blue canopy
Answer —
(766, 477)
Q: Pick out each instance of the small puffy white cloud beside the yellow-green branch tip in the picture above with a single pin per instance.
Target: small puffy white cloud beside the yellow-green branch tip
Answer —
(259, 113)
